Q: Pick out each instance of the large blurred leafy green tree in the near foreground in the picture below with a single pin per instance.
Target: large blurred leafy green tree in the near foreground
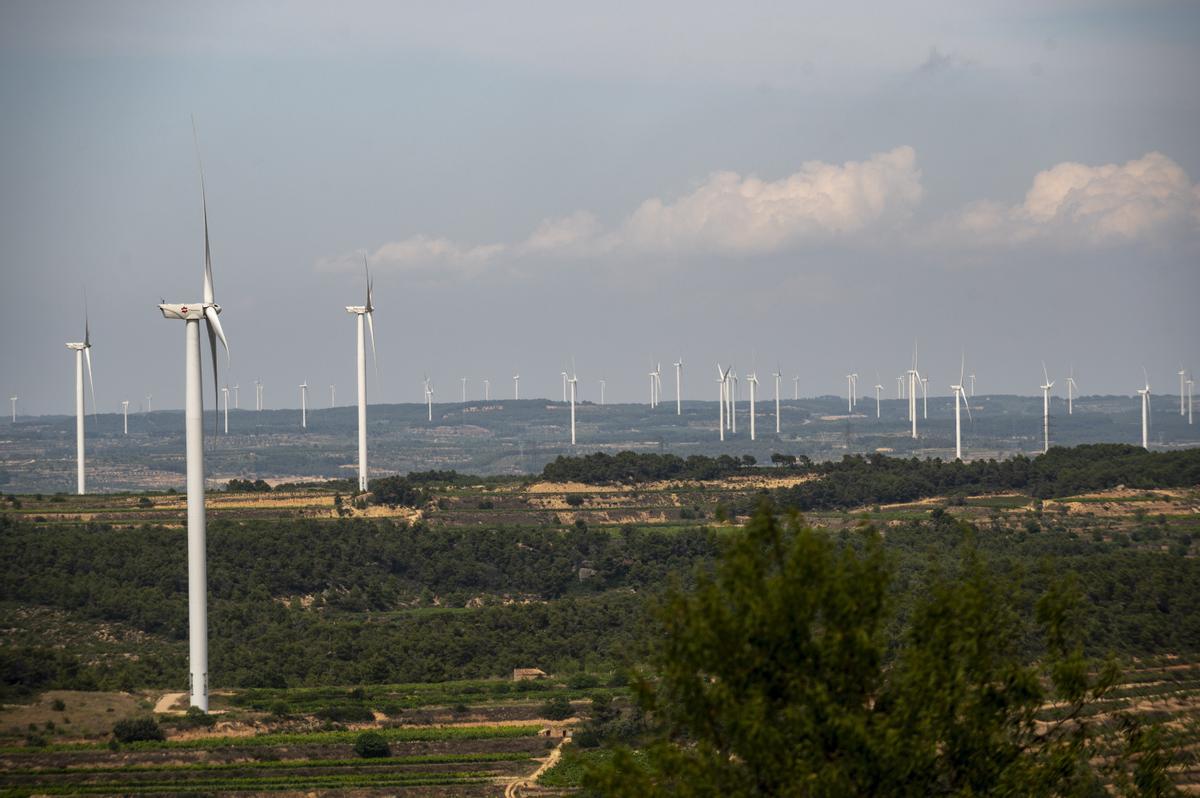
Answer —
(771, 679)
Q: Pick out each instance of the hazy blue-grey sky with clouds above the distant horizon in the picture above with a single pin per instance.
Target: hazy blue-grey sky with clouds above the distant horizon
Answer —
(811, 188)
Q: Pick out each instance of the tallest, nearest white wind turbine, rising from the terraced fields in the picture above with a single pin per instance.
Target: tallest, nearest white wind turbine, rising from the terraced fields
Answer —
(194, 423)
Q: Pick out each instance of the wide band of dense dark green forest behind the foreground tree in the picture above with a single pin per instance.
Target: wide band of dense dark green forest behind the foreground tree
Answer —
(314, 603)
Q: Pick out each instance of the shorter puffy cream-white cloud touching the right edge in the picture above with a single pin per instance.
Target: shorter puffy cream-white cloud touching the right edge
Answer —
(1075, 205)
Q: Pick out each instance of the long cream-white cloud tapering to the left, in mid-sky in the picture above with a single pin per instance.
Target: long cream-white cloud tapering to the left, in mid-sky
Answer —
(728, 214)
